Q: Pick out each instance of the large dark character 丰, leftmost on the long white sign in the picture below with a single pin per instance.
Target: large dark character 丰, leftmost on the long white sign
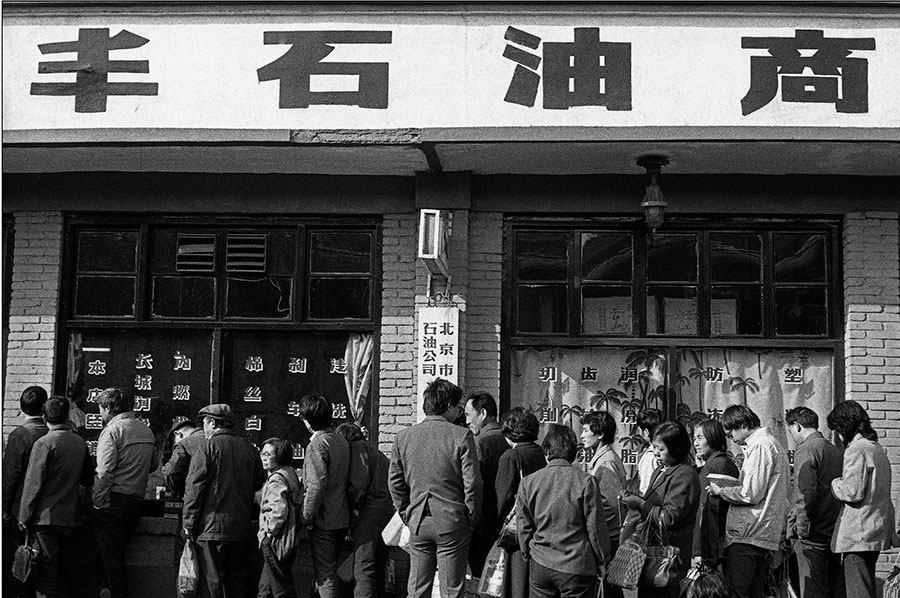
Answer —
(92, 67)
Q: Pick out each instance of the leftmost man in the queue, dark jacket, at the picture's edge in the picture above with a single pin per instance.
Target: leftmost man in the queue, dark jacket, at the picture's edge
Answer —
(15, 463)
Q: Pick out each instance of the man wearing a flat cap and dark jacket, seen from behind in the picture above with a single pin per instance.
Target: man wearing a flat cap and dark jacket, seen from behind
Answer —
(218, 502)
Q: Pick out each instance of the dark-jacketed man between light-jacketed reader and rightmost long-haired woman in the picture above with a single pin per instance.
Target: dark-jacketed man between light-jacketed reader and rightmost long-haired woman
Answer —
(815, 511)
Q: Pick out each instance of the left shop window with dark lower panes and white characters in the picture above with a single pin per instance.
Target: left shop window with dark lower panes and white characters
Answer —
(185, 313)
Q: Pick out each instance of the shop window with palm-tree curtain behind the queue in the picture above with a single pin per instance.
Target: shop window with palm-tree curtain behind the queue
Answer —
(689, 320)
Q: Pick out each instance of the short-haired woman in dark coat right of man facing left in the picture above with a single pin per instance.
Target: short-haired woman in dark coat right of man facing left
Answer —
(520, 428)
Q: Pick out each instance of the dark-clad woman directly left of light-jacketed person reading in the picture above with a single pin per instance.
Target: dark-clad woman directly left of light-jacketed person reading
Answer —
(711, 446)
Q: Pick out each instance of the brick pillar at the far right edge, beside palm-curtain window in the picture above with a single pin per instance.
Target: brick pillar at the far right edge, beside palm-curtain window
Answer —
(872, 327)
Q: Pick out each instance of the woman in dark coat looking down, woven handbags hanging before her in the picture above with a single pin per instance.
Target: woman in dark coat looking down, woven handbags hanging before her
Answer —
(672, 499)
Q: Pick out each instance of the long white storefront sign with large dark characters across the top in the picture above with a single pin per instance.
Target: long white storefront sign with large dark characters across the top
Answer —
(473, 71)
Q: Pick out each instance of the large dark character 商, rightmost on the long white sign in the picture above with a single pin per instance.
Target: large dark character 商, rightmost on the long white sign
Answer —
(833, 77)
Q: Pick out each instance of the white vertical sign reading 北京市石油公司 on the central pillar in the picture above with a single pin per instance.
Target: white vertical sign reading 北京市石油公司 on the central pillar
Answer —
(437, 339)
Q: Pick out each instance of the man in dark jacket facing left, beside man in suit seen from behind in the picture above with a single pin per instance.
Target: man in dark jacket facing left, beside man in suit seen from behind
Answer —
(481, 417)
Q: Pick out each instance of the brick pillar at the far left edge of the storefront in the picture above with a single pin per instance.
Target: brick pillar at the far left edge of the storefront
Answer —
(33, 308)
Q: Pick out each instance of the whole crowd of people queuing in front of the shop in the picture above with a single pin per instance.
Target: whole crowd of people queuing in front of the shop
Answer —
(732, 516)
